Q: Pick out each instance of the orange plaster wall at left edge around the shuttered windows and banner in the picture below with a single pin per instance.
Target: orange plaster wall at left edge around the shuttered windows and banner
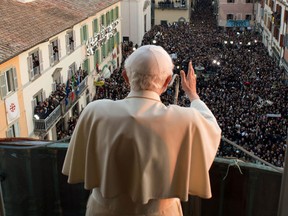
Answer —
(3, 116)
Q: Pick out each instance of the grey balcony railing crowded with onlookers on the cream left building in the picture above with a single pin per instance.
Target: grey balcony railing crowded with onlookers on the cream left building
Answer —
(41, 125)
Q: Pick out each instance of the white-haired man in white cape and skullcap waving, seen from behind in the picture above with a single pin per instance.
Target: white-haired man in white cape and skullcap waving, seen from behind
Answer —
(138, 156)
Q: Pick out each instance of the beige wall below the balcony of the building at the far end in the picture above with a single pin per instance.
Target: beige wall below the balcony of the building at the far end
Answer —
(171, 15)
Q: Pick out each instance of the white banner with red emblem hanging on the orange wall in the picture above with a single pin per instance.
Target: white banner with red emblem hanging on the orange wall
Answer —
(12, 108)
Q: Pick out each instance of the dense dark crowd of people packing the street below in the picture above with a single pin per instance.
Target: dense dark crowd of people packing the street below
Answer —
(241, 83)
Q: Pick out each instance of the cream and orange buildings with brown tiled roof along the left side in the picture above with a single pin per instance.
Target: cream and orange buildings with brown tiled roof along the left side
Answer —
(60, 65)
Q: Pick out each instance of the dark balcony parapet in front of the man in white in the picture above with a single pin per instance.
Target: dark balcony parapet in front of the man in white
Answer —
(32, 184)
